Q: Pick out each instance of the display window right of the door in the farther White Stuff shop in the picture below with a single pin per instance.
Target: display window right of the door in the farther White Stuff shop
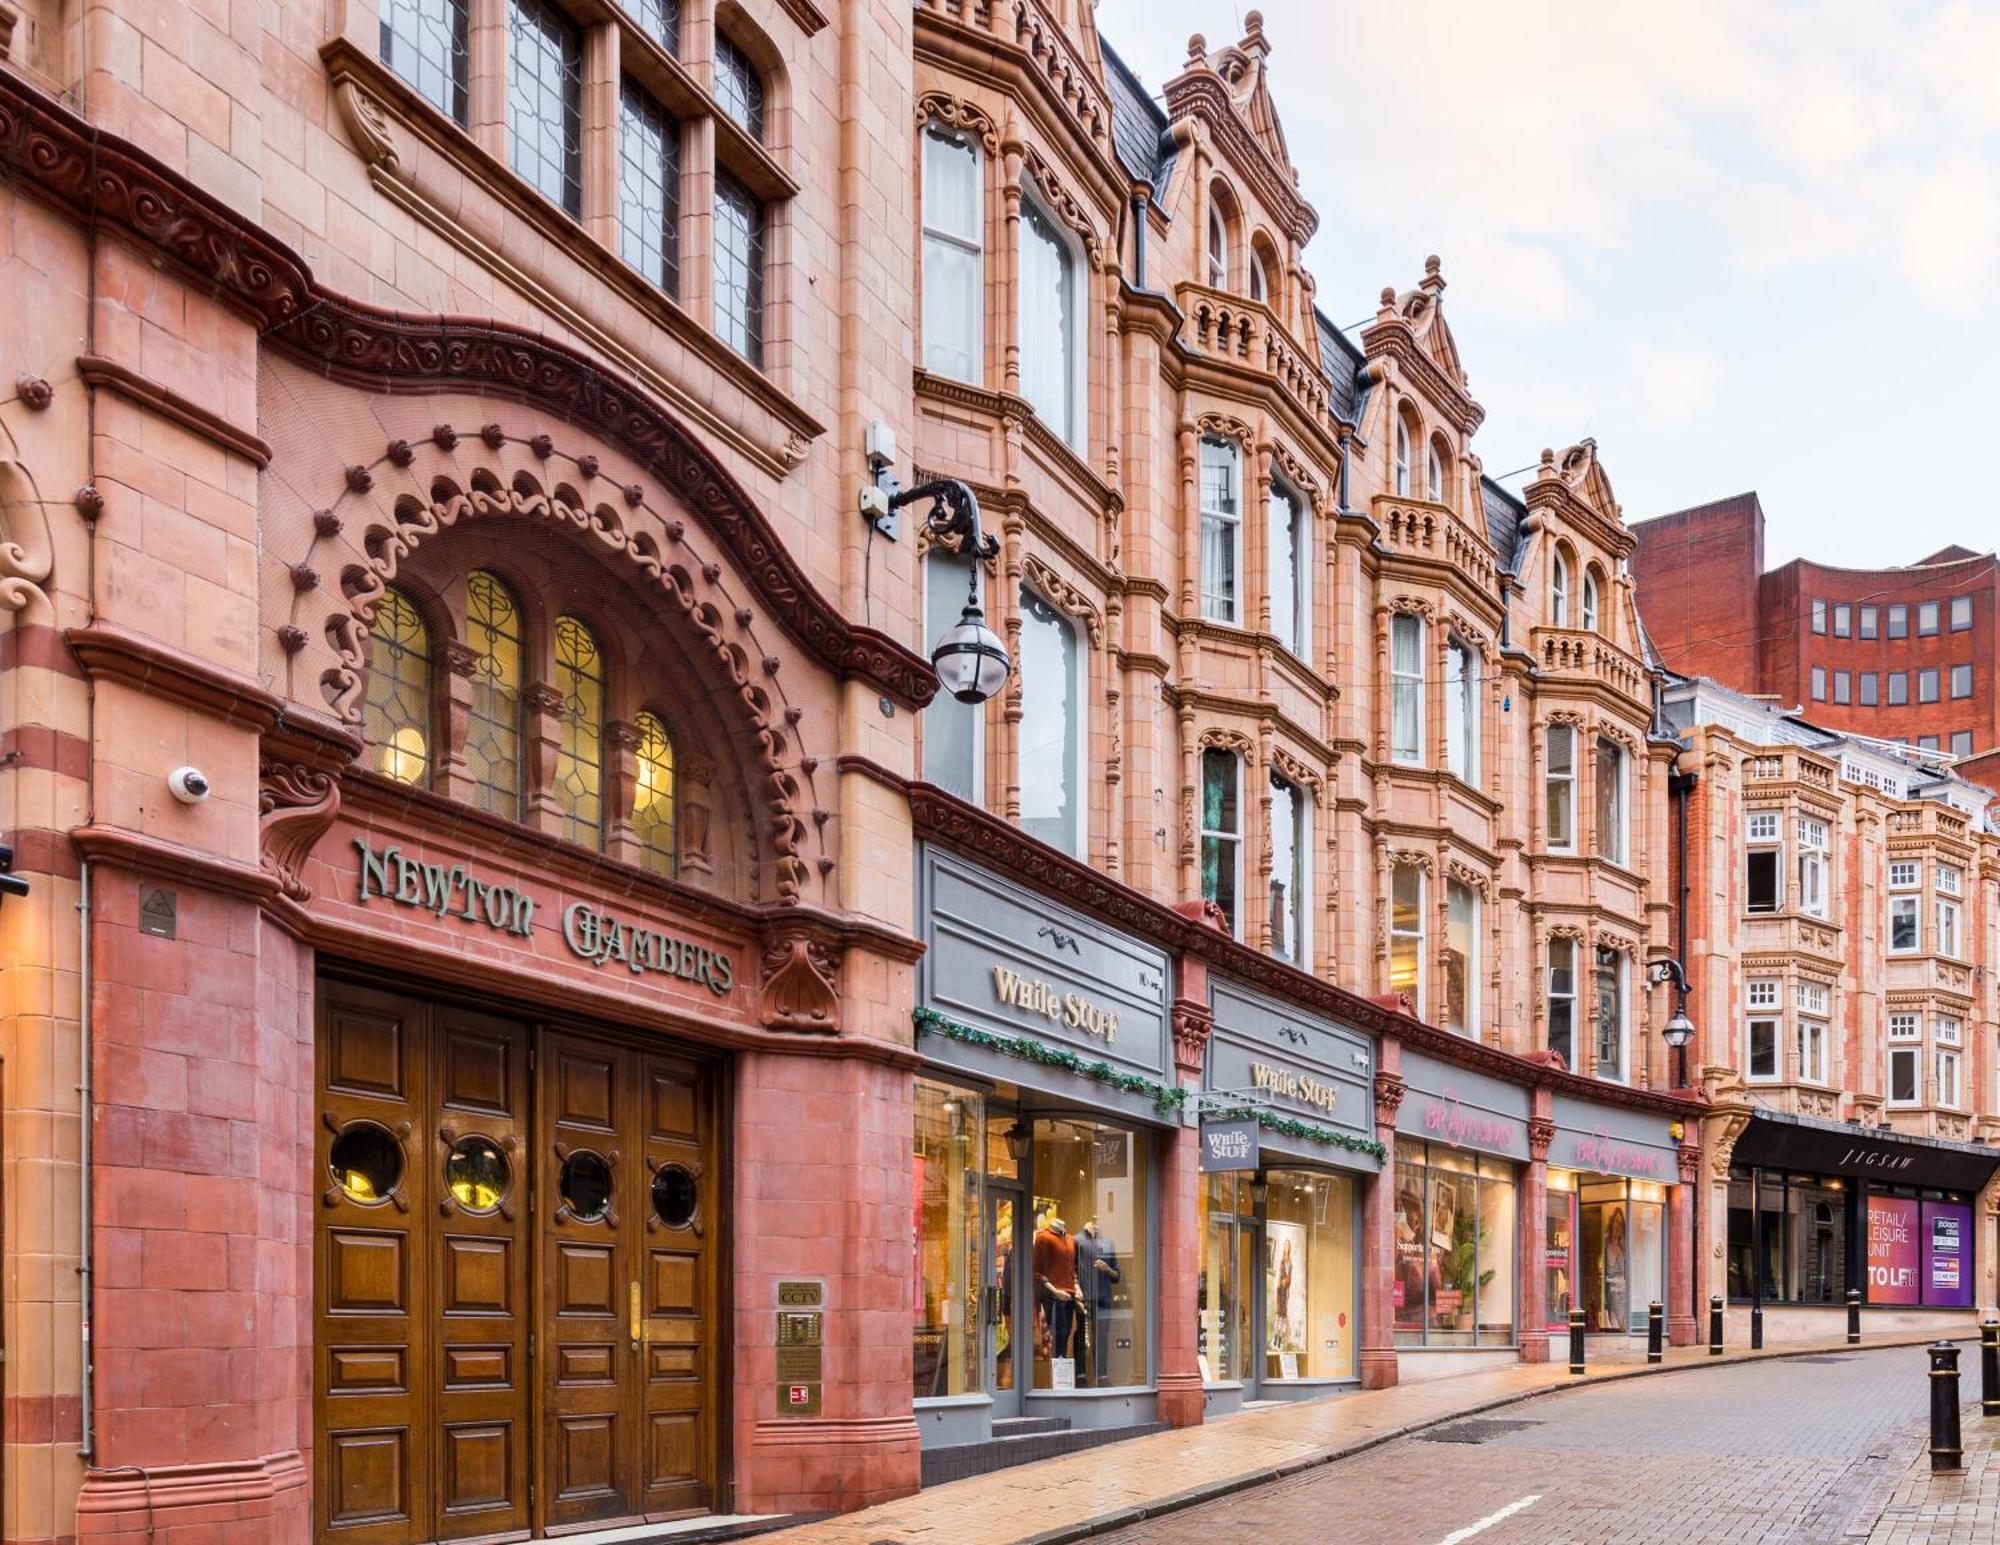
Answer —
(1309, 1276)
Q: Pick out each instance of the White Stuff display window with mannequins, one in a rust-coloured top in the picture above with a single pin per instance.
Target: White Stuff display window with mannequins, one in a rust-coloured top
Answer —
(1091, 1254)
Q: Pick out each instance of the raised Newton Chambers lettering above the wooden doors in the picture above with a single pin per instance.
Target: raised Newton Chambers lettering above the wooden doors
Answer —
(591, 934)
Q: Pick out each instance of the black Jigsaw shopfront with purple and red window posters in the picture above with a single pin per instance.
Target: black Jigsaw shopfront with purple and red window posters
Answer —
(1825, 1206)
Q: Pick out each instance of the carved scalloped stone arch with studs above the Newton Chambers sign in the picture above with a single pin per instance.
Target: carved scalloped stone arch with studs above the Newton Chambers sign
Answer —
(663, 565)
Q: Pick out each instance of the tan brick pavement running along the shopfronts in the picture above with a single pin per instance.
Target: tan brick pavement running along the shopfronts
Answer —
(1149, 1478)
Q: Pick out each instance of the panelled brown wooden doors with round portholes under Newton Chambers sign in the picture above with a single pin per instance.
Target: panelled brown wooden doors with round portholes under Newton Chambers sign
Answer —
(517, 1250)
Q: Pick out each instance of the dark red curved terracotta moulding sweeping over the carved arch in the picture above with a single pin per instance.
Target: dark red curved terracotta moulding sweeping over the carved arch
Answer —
(101, 177)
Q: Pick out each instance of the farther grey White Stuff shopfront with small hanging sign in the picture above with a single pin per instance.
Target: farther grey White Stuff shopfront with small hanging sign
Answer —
(1279, 1292)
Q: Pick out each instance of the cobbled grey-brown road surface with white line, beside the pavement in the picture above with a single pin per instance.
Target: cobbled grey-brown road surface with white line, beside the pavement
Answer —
(1803, 1450)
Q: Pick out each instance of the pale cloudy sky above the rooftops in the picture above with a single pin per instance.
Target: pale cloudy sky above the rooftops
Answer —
(1743, 243)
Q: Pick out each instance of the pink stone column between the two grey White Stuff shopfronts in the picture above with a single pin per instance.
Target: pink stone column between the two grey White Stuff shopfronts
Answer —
(1179, 1376)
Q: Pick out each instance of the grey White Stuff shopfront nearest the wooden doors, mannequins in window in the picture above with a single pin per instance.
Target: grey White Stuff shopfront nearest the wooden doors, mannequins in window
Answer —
(1043, 1110)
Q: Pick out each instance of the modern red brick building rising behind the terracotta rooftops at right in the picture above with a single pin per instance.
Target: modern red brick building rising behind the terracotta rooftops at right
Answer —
(1891, 653)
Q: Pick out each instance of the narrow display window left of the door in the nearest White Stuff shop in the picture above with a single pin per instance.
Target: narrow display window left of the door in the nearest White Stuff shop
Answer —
(949, 1188)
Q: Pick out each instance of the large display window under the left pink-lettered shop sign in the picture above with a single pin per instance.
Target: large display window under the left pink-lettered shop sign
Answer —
(1455, 1248)
